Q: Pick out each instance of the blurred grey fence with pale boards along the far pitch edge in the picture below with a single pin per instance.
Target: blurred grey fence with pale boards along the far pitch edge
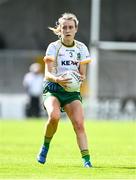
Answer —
(116, 92)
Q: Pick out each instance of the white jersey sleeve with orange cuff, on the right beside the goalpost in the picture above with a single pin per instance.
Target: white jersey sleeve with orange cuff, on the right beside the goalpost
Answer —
(85, 55)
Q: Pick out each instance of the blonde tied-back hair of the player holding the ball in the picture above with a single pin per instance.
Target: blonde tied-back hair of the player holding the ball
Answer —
(65, 16)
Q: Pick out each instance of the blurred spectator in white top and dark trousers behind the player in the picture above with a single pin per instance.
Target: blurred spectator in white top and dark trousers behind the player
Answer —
(33, 85)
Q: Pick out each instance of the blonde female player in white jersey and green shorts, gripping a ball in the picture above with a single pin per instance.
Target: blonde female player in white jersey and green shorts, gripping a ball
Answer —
(63, 55)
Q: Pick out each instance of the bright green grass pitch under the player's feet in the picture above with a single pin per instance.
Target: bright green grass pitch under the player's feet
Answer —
(112, 147)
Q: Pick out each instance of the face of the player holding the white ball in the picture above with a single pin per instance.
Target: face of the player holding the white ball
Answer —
(68, 31)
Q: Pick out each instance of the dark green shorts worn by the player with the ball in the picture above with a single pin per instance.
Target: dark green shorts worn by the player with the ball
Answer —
(63, 96)
